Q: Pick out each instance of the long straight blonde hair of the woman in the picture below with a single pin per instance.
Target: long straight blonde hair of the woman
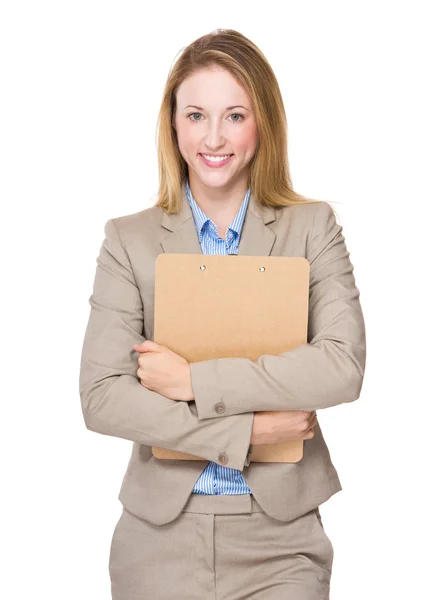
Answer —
(269, 177)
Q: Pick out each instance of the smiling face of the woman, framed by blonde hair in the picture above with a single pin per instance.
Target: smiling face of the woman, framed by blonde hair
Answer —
(214, 116)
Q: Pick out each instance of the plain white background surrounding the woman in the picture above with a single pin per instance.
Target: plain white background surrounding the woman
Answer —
(81, 85)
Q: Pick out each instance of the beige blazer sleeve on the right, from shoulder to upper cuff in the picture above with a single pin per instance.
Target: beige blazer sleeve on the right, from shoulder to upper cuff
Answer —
(326, 371)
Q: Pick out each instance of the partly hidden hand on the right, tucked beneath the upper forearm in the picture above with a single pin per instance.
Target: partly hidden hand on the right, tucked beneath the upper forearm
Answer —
(271, 427)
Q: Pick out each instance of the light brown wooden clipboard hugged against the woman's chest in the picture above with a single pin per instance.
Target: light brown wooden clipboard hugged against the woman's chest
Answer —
(215, 306)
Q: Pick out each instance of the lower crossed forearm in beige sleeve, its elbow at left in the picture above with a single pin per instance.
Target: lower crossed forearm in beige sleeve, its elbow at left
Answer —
(121, 407)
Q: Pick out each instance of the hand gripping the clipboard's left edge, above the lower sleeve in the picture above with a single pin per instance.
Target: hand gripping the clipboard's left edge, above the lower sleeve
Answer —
(163, 371)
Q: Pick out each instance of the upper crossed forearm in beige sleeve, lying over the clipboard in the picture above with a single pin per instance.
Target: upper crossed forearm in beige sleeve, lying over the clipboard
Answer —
(233, 382)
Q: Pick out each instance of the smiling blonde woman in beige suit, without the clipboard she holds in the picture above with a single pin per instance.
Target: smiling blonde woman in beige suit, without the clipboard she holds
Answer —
(224, 527)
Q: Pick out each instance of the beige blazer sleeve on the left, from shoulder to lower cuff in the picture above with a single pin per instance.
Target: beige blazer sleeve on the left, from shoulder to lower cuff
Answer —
(113, 400)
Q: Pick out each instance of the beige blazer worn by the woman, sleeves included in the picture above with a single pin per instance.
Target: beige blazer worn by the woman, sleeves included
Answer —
(326, 371)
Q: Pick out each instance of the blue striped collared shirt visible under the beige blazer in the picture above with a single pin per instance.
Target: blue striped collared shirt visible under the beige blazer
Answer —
(217, 479)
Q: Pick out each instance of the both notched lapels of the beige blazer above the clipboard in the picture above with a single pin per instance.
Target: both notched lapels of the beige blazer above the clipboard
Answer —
(256, 238)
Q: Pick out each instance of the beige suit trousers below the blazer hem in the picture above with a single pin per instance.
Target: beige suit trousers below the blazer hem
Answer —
(221, 548)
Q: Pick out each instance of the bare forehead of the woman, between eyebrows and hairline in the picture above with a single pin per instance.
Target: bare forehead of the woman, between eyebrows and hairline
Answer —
(211, 87)
